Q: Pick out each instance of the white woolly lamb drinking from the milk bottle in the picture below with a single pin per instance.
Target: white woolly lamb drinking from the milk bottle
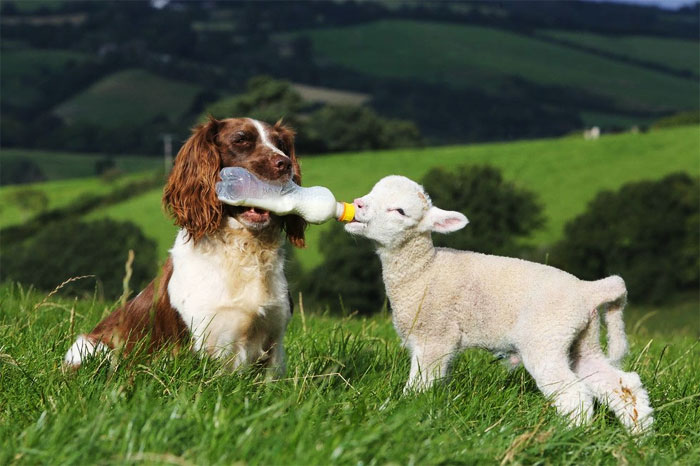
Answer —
(444, 301)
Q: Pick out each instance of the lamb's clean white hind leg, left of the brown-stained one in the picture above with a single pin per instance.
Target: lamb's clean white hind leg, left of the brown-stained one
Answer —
(556, 380)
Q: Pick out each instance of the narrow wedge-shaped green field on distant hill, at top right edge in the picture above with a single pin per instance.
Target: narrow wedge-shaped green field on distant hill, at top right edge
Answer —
(681, 55)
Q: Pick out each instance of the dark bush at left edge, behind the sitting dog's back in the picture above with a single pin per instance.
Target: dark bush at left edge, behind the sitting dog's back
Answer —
(73, 248)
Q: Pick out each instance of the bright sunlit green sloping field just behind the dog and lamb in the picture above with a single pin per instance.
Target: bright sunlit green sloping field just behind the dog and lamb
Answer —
(565, 174)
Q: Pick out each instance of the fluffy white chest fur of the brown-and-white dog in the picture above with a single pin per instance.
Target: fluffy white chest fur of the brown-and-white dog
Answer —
(231, 292)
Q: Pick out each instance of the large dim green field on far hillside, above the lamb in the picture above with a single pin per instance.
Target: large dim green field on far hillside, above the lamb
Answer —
(481, 57)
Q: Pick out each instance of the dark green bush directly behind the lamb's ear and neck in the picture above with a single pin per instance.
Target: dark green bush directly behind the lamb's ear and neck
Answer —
(499, 212)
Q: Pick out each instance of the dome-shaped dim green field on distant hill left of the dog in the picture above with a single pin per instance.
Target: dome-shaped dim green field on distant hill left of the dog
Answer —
(134, 96)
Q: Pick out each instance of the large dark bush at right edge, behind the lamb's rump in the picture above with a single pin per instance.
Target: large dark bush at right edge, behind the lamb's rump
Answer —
(647, 232)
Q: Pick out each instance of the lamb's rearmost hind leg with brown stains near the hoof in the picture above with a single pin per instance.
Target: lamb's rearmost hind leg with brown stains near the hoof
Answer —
(621, 391)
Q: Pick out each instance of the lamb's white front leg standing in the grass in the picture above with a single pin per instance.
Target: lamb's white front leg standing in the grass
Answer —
(429, 362)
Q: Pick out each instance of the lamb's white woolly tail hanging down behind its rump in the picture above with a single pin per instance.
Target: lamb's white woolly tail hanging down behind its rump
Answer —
(609, 296)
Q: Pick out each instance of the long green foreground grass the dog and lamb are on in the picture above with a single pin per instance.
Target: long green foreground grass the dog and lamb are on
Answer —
(340, 403)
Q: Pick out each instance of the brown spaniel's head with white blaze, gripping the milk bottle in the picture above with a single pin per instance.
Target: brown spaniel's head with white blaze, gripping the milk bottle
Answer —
(267, 151)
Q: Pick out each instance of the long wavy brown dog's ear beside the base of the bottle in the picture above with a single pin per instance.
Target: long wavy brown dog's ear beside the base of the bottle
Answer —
(190, 194)
